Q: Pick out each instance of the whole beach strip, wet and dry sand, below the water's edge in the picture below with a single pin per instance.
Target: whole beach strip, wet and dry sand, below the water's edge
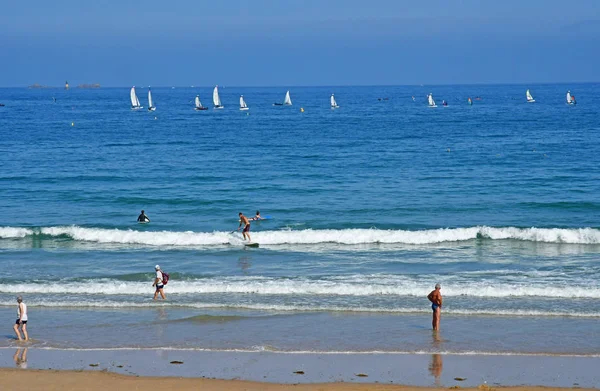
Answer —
(40, 368)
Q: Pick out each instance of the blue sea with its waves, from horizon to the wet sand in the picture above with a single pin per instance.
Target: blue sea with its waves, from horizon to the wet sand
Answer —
(370, 204)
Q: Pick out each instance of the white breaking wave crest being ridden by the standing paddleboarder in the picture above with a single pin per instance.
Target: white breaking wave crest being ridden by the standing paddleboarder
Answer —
(309, 236)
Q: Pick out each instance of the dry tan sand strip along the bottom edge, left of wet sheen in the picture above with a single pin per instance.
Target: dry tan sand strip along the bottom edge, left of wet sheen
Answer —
(15, 379)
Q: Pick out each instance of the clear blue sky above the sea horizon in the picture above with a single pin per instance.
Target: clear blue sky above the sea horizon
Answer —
(298, 42)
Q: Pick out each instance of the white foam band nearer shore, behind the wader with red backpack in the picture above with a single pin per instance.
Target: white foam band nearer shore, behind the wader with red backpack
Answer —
(357, 286)
